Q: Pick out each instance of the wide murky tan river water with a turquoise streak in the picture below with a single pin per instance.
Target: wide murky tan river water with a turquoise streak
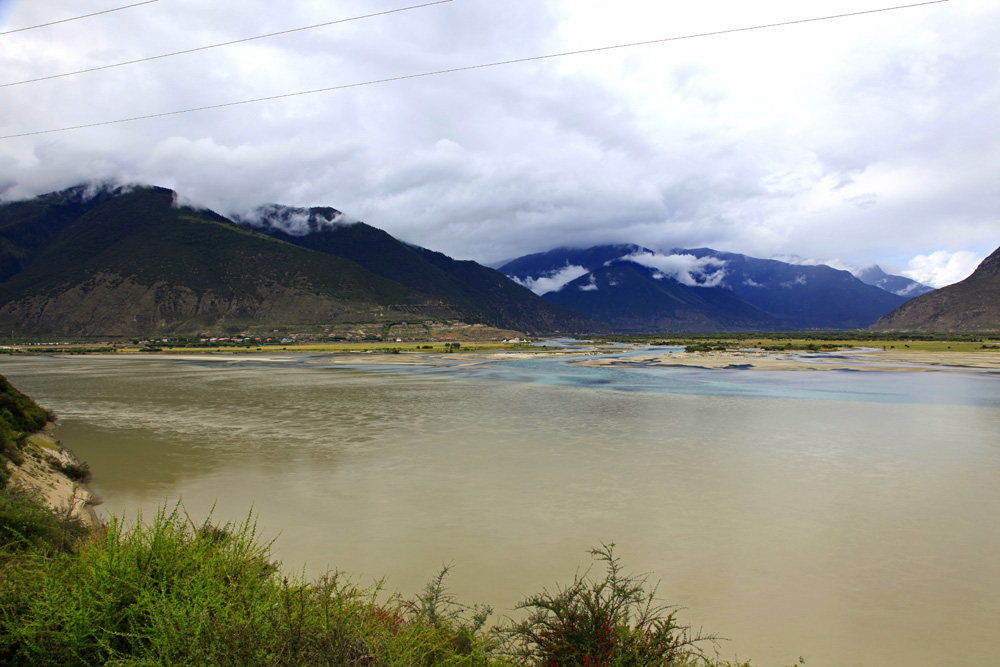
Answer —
(847, 517)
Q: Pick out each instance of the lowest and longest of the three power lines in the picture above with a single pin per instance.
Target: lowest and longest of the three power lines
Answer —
(469, 68)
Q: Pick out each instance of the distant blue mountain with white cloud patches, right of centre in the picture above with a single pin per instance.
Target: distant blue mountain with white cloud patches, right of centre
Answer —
(624, 286)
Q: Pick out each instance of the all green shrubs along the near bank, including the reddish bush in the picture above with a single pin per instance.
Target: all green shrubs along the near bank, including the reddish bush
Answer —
(170, 591)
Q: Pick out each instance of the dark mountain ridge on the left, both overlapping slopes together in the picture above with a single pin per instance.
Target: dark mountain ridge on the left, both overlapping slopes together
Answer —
(132, 261)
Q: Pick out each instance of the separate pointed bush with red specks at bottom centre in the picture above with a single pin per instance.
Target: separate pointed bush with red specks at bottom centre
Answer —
(614, 621)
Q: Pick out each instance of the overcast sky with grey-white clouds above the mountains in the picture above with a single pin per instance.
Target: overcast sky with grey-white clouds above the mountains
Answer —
(865, 139)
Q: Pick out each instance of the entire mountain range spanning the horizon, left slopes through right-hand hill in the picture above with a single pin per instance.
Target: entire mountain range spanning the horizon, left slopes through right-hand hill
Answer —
(132, 260)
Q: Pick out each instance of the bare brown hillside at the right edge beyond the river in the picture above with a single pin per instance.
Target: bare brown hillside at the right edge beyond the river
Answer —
(970, 305)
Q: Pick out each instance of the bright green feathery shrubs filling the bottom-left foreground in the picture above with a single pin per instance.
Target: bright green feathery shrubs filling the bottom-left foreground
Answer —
(171, 592)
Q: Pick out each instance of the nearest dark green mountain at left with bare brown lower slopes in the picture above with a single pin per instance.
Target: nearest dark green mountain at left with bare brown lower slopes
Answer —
(133, 262)
